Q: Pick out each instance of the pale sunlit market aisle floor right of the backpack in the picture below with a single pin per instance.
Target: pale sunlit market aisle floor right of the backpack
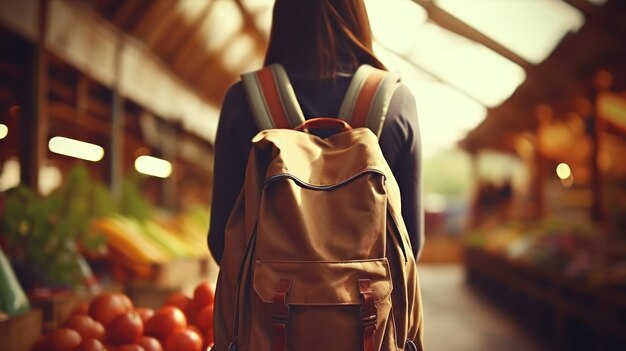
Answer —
(458, 319)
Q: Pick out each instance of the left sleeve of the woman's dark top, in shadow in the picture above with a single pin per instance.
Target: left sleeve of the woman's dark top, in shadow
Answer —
(232, 146)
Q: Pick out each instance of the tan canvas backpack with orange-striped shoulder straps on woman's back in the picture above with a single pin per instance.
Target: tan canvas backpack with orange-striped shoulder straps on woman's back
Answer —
(317, 256)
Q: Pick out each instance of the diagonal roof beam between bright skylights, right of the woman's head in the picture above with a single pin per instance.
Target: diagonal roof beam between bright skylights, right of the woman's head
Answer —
(455, 25)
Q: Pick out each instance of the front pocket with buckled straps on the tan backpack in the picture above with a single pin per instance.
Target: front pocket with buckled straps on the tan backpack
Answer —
(325, 302)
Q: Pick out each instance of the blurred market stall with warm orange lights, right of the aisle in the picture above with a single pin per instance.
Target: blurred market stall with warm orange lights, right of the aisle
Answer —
(547, 241)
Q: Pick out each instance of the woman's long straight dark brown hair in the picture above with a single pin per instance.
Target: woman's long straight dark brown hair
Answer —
(321, 36)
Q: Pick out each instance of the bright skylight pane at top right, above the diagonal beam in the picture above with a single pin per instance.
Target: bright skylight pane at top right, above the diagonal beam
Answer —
(530, 28)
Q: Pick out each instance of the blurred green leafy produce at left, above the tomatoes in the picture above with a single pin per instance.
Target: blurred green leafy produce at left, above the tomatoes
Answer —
(42, 231)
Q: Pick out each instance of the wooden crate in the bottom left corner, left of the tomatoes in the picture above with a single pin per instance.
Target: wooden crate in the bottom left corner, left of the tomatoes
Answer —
(20, 332)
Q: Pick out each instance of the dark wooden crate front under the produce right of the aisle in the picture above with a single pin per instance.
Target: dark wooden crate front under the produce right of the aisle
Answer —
(565, 313)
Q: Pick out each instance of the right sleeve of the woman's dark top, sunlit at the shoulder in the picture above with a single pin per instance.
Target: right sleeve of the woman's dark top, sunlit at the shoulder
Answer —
(401, 144)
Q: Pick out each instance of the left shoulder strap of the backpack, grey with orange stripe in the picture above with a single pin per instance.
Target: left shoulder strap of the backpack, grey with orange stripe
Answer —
(272, 98)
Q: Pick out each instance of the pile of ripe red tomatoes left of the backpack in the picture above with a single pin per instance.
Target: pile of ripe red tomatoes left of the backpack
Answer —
(110, 322)
